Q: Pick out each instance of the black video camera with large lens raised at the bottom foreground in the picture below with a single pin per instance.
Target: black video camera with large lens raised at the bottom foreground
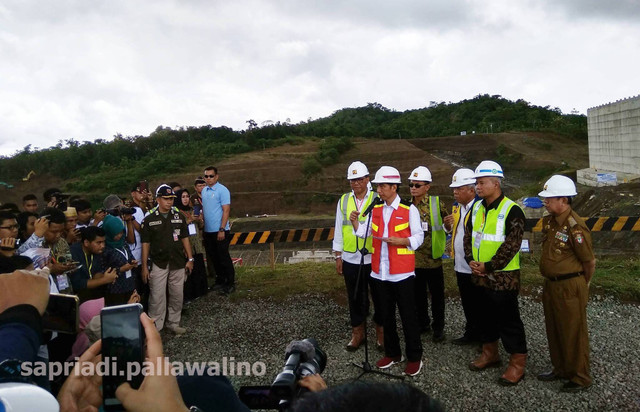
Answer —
(302, 358)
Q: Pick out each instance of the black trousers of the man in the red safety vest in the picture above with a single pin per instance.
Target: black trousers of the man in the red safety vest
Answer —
(399, 294)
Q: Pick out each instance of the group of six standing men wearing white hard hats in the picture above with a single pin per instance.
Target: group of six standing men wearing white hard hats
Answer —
(392, 249)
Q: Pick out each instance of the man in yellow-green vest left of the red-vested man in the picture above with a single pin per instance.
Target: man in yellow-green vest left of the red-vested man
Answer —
(348, 253)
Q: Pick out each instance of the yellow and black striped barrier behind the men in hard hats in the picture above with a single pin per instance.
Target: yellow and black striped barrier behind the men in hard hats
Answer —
(595, 224)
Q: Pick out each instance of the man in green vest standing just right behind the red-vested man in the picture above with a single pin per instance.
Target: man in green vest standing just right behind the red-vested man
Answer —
(429, 273)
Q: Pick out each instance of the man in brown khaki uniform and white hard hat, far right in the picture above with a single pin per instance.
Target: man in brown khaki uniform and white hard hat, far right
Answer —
(567, 264)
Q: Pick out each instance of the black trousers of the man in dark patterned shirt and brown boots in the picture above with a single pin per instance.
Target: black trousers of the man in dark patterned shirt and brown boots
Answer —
(501, 320)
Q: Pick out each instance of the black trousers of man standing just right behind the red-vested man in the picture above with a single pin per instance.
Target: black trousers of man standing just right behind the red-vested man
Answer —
(433, 280)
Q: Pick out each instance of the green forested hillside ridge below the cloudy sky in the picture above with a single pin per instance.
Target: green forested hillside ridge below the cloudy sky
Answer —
(112, 165)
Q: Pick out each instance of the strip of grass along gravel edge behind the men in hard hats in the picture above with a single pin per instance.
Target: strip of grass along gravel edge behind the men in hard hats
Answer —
(616, 276)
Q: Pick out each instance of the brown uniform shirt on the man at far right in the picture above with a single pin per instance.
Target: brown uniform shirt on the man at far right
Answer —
(566, 244)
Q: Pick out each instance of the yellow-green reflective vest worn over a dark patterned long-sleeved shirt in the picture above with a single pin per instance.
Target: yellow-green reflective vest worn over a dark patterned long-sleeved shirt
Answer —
(491, 229)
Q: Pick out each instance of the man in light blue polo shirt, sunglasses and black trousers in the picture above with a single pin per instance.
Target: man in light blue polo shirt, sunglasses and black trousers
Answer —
(216, 206)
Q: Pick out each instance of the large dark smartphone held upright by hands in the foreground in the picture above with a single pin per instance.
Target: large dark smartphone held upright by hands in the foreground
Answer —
(122, 348)
